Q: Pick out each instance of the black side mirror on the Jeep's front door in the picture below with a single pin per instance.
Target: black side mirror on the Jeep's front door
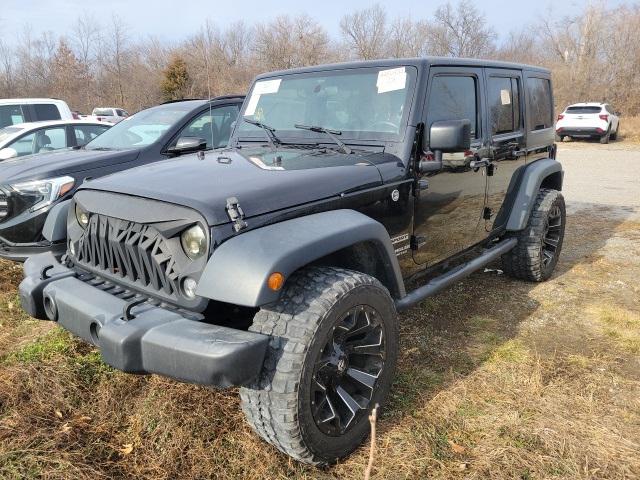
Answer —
(446, 136)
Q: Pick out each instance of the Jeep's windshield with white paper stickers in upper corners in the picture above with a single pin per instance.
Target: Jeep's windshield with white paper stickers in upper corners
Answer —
(363, 103)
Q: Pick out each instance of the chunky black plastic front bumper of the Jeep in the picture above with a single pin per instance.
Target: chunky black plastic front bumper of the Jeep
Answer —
(156, 340)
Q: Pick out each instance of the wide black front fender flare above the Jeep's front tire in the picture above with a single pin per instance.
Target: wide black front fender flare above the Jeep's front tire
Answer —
(238, 270)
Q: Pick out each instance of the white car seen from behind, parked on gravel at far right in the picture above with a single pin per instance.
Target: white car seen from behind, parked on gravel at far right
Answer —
(588, 120)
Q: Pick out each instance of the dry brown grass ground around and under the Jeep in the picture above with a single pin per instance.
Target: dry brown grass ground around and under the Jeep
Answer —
(497, 379)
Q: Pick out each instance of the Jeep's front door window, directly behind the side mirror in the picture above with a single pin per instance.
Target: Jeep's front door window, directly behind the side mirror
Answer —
(453, 98)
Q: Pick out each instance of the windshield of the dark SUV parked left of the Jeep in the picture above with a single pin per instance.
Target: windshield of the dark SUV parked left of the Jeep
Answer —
(141, 129)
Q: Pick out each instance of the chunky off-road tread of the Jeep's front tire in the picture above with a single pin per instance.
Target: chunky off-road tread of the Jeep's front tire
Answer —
(270, 404)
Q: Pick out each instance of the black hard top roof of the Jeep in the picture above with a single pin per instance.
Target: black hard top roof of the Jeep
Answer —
(418, 62)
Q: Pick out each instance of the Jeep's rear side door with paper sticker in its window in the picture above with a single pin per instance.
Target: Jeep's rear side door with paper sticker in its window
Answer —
(505, 120)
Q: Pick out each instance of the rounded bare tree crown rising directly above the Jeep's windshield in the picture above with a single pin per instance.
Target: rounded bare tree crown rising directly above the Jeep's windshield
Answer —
(364, 32)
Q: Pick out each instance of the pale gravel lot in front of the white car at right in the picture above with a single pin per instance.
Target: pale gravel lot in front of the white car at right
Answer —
(604, 175)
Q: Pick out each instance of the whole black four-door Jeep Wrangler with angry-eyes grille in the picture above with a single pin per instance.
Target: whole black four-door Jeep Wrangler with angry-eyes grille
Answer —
(280, 263)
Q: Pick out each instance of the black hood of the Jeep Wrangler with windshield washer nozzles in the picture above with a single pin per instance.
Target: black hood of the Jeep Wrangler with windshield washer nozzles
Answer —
(261, 179)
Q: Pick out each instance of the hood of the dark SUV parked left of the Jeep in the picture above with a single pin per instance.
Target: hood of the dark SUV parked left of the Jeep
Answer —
(62, 162)
